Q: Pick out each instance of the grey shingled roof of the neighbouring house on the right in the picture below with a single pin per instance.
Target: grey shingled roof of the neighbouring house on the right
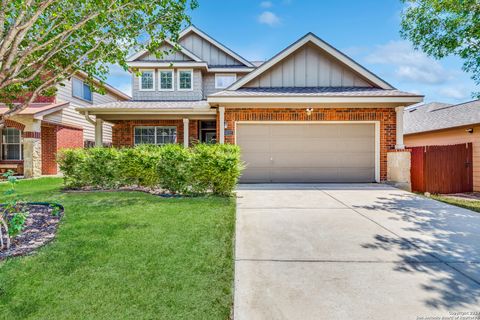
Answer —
(437, 116)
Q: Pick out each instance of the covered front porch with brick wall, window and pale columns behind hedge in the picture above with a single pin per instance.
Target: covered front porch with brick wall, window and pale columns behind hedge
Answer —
(156, 122)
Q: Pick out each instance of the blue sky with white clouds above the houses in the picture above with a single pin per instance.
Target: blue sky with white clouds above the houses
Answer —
(367, 31)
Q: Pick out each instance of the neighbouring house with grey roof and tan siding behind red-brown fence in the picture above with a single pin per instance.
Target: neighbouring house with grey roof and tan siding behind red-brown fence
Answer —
(444, 124)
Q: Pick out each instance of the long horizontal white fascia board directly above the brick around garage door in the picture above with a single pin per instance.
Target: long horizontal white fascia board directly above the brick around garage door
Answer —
(293, 100)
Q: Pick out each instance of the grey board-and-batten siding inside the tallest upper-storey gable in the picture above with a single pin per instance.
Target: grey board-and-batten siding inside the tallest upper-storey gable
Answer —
(208, 52)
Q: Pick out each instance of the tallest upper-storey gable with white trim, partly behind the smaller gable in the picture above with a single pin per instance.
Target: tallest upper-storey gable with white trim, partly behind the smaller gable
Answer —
(209, 49)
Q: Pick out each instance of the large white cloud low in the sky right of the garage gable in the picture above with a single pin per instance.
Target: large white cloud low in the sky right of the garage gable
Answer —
(409, 64)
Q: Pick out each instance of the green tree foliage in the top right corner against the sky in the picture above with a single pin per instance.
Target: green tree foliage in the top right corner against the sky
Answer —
(445, 27)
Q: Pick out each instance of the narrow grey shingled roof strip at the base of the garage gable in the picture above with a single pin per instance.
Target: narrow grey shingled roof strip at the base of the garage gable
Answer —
(315, 91)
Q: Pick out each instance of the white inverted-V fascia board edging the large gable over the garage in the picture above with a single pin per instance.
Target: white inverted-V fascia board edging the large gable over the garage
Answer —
(324, 46)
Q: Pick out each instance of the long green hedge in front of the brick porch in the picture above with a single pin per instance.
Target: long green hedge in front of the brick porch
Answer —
(198, 170)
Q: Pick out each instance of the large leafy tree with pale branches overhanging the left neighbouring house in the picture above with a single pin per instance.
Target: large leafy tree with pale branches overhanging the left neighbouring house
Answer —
(44, 42)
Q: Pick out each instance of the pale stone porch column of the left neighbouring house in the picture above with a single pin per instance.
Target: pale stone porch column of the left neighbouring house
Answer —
(32, 149)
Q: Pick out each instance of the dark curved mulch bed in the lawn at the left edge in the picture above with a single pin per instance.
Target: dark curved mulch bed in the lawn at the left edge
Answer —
(40, 228)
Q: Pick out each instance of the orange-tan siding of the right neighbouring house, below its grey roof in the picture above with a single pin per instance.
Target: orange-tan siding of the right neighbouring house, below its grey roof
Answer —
(452, 136)
